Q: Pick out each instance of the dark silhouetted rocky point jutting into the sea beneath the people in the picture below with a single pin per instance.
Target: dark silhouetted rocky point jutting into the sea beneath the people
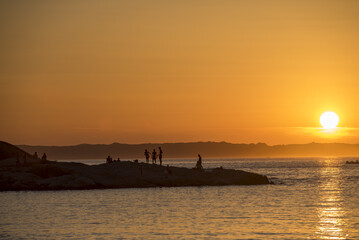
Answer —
(51, 175)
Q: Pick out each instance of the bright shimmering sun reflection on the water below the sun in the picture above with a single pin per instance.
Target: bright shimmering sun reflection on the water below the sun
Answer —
(330, 212)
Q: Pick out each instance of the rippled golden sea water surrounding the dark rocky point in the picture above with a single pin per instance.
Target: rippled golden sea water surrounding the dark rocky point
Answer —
(312, 199)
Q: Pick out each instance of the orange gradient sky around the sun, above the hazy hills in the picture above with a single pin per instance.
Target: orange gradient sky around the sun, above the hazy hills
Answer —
(170, 71)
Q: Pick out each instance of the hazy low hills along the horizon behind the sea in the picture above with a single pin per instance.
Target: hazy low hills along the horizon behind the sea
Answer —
(190, 150)
